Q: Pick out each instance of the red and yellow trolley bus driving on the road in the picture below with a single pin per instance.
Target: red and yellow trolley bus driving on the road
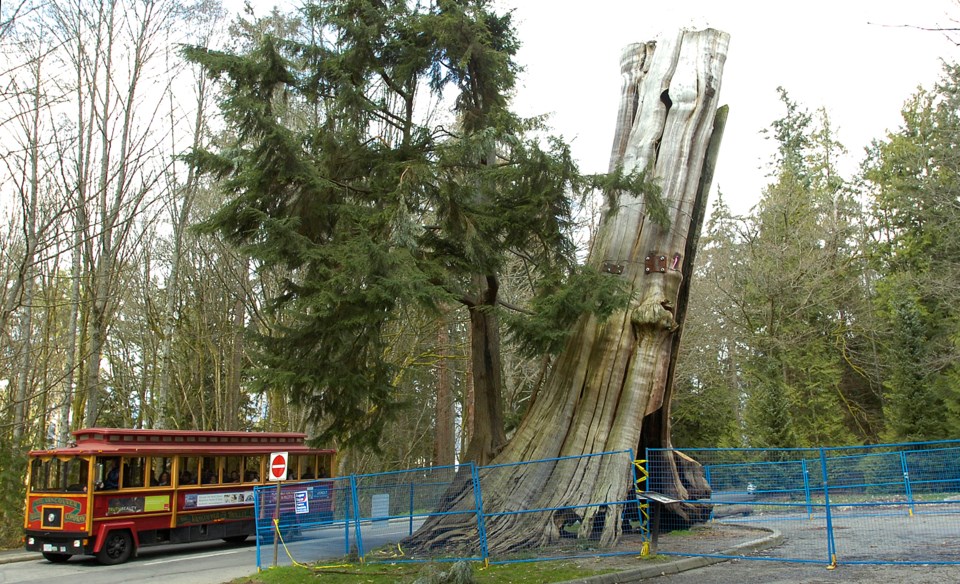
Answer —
(116, 490)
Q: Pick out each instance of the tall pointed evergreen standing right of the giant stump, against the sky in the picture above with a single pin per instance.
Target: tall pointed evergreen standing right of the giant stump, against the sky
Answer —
(800, 291)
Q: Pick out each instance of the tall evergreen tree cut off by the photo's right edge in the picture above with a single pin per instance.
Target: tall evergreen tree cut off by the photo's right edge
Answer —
(914, 180)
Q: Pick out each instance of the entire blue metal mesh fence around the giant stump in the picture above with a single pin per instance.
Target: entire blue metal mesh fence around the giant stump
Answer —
(880, 504)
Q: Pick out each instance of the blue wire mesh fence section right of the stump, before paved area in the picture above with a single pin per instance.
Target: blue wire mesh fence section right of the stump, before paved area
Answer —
(873, 504)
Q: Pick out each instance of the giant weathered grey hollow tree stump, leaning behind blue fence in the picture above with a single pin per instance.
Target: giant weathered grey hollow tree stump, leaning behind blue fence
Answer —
(611, 376)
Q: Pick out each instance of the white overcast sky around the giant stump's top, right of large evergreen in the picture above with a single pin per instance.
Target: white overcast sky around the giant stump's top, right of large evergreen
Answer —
(852, 57)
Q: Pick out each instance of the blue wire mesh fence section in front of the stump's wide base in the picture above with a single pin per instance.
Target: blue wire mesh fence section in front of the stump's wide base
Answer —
(450, 513)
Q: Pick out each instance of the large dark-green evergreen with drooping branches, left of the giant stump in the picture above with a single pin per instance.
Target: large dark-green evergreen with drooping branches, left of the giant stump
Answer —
(344, 174)
